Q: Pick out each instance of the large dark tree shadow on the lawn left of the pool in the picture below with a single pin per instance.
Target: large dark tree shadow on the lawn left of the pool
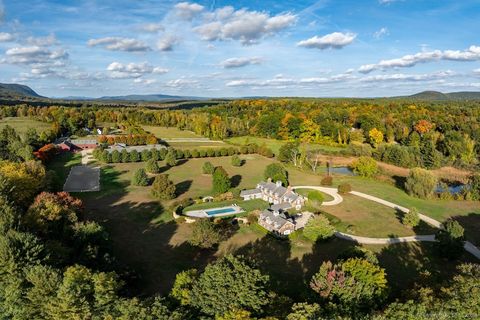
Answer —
(156, 252)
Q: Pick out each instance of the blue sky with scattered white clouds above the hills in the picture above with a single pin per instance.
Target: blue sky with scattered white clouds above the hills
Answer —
(240, 48)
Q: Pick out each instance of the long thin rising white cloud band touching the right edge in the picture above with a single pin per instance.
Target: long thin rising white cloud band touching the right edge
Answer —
(470, 54)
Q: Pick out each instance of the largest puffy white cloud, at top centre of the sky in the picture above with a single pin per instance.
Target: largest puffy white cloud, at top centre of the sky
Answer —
(248, 27)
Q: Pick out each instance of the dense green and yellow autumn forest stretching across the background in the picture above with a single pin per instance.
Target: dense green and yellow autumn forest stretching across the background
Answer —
(402, 132)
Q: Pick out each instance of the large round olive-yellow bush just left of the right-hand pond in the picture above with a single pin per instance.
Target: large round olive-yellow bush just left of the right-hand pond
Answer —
(420, 183)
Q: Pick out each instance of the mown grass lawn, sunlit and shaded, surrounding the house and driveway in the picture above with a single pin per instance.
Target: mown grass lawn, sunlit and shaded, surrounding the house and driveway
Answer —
(145, 237)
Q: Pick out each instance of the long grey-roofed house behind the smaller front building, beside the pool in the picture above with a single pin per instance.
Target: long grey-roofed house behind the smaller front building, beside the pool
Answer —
(275, 193)
